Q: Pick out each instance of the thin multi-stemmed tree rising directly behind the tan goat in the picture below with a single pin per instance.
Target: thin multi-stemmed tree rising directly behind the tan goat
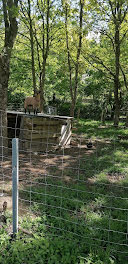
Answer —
(38, 17)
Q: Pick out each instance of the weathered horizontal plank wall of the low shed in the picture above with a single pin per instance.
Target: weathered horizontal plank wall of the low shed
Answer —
(40, 133)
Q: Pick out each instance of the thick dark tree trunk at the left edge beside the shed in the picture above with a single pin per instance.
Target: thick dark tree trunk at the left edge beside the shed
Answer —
(10, 12)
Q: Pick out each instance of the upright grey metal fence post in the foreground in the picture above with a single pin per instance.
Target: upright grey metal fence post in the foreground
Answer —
(15, 179)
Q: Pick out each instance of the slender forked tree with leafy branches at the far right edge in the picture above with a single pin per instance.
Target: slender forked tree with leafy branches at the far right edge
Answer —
(114, 16)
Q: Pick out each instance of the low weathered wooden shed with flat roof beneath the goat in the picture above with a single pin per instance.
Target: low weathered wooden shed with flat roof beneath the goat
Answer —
(39, 132)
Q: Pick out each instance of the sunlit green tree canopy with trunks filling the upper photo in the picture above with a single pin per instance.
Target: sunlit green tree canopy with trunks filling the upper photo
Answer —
(75, 49)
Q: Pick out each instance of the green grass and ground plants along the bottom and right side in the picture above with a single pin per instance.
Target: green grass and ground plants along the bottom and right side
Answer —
(83, 220)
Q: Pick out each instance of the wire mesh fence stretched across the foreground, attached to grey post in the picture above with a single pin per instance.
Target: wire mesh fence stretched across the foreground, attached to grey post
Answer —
(80, 190)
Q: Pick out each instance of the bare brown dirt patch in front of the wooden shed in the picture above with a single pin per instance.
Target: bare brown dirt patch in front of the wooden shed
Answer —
(56, 163)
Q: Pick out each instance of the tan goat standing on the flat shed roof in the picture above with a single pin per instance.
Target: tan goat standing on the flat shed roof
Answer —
(33, 102)
